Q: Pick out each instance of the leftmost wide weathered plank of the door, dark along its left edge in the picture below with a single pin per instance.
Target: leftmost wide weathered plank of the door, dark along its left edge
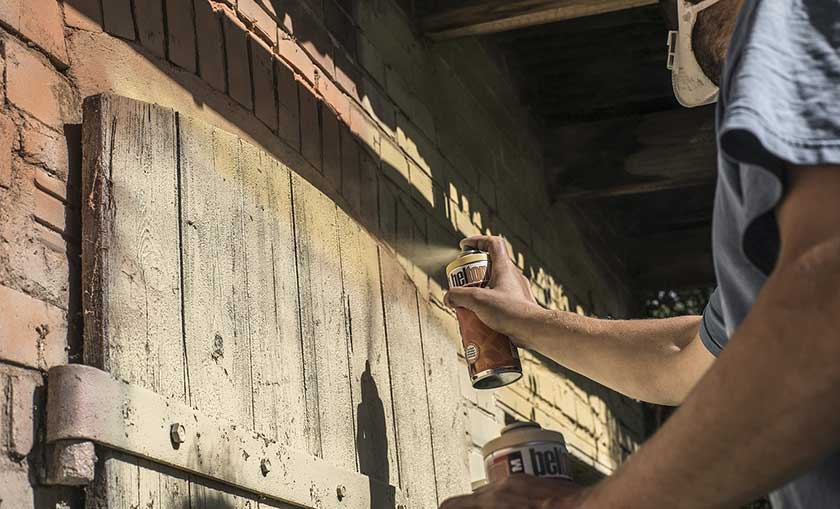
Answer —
(131, 282)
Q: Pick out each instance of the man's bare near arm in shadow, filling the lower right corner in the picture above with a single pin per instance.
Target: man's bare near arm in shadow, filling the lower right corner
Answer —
(770, 406)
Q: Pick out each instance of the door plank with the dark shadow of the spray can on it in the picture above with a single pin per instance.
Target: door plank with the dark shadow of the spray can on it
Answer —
(371, 380)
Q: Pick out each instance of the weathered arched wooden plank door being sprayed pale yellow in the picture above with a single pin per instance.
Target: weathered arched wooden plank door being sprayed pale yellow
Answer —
(215, 276)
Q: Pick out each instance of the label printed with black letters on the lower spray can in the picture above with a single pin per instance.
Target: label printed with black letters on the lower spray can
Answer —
(546, 459)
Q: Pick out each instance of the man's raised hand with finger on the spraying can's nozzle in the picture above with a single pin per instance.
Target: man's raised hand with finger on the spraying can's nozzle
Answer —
(506, 304)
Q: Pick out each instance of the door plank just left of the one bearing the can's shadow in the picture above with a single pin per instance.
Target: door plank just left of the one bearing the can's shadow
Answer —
(323, 323)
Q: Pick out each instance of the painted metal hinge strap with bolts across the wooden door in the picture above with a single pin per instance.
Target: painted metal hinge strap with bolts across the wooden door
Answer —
(87, 404)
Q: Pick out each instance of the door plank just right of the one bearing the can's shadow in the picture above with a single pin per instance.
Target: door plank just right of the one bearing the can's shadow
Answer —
(411, 408)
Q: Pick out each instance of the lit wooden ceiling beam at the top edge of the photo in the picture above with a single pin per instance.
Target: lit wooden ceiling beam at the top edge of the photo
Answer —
(494, 16)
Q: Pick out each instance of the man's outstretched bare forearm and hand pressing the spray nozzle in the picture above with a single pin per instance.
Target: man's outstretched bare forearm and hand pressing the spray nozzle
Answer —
(653, 360)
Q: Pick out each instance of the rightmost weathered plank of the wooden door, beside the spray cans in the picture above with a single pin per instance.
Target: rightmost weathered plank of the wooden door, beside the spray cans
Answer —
(446, 405)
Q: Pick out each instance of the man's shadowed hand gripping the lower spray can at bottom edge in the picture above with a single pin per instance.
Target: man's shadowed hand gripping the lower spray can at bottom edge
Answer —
(522, 492)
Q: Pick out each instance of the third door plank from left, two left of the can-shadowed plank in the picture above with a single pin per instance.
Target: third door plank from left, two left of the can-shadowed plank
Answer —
(272, 299)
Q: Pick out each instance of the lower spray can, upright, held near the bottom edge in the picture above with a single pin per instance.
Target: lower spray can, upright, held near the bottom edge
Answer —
(526, 448)
